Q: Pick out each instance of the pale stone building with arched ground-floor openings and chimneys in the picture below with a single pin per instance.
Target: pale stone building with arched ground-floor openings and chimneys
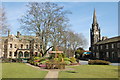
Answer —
(20, 46)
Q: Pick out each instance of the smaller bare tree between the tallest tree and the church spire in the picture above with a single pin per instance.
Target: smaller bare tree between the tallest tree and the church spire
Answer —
(72, 41)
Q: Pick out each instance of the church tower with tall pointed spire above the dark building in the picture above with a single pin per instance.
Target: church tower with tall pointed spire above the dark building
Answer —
(95, 30)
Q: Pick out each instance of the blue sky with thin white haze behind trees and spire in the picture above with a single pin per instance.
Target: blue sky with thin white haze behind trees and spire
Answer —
(80, 19)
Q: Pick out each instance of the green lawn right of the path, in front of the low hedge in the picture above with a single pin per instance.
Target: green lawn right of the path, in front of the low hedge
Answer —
(91, 71)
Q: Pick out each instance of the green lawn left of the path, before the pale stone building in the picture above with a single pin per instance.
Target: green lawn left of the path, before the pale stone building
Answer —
(21, 70)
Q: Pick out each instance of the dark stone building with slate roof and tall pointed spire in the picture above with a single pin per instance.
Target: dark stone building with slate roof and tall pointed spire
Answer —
(103, 48)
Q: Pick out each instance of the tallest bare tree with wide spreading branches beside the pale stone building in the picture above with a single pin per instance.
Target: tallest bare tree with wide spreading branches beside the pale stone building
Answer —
(46, 19)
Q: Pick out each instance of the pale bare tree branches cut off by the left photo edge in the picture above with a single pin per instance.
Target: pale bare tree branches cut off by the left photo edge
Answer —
(3, 21)
